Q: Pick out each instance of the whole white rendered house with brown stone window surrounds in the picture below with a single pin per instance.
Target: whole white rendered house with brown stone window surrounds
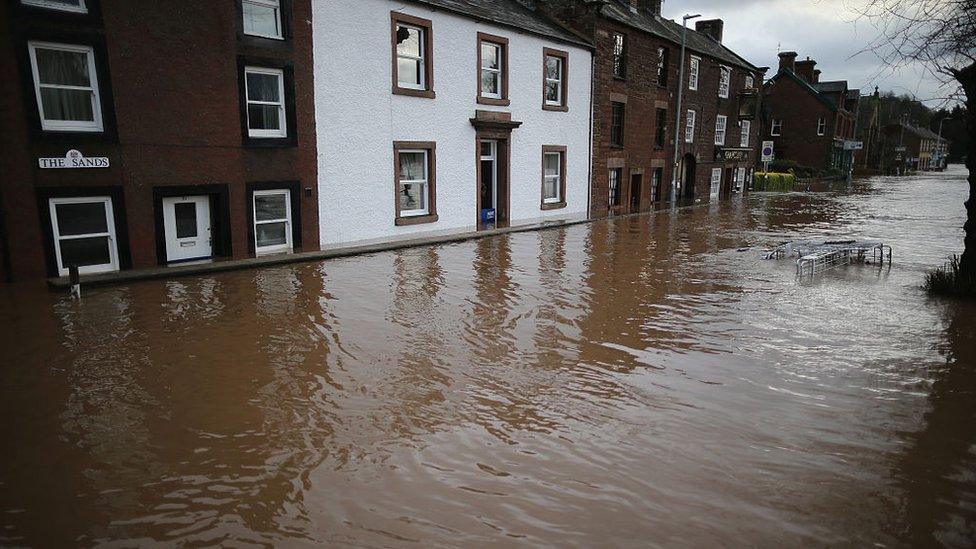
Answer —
(432, 120)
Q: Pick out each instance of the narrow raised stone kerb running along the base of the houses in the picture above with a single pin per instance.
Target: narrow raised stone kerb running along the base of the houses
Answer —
(176, 271)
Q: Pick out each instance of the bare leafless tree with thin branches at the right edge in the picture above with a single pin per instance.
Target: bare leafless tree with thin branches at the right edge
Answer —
(940, 37)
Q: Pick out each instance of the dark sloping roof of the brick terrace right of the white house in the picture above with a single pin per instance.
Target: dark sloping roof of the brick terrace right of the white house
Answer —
(619, 11)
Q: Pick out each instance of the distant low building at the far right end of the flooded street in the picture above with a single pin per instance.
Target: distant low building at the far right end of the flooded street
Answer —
(908, 148)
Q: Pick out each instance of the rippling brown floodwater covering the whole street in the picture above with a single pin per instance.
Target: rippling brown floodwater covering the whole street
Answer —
(640, 381)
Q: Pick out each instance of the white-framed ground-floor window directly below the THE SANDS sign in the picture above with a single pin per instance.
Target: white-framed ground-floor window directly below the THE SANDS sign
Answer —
(84, 234)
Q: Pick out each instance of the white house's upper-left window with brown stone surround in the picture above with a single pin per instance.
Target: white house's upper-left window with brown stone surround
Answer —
(412, 67)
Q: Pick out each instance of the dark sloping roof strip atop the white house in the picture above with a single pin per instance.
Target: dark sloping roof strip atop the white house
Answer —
(509, 13)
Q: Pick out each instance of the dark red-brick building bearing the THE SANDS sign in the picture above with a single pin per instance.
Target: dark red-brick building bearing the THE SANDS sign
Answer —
(139, 133)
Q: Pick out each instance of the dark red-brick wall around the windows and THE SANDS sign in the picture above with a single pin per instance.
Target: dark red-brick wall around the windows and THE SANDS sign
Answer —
(174, 82)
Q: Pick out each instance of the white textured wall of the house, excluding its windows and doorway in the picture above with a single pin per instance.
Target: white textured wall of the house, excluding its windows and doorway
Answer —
(358, 119)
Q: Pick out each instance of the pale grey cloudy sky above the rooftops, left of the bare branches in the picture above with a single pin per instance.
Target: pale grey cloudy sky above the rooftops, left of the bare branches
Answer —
(828, 31)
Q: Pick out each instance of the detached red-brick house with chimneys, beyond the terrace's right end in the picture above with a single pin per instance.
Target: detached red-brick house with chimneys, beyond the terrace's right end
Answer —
(810, 121)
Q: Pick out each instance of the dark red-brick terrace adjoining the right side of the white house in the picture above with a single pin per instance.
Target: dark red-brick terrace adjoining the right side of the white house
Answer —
(636, 75)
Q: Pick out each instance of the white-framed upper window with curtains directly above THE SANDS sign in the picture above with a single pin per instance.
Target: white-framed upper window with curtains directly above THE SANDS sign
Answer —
(66, 86)
